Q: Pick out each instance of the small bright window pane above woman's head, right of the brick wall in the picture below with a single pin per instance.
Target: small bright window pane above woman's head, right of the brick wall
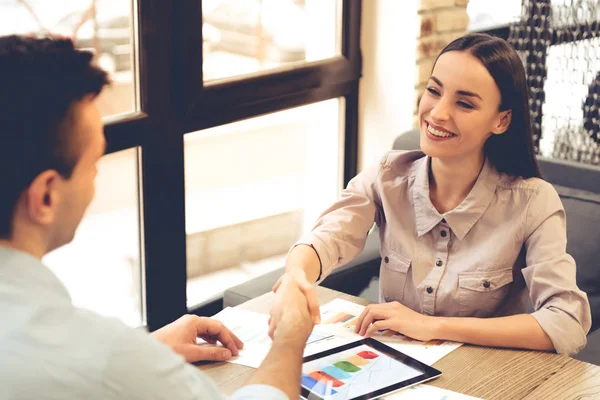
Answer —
(486, 14)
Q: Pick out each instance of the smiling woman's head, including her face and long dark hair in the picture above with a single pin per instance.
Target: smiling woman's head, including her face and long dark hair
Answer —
(484, 105)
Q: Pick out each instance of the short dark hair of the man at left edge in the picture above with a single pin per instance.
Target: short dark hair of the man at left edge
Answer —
(40, 79)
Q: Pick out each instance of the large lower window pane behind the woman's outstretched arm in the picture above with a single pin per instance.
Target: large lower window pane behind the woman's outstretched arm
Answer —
(252, 188)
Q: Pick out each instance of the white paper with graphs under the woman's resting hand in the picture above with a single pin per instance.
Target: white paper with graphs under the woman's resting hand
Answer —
(342, 316)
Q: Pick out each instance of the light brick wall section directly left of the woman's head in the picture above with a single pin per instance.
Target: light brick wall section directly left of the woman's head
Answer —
(440, 22)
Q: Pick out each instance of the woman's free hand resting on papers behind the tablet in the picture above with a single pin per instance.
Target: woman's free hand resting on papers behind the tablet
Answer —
(396, 317)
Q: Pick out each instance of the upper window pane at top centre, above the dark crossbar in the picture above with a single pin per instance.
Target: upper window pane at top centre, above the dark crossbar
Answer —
(246, 36)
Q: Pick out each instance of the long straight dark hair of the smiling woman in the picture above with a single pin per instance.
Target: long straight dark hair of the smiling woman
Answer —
(512, 152)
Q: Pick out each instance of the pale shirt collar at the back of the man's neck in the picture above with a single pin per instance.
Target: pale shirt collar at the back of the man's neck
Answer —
(28, 273)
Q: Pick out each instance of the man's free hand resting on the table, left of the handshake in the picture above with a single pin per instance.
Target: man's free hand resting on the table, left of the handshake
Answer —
(181, 337)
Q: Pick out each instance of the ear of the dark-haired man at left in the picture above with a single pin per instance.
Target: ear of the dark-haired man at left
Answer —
(42, 197)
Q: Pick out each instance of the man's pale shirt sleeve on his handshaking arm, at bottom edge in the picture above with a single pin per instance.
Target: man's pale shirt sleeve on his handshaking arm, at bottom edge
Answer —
(140, 367)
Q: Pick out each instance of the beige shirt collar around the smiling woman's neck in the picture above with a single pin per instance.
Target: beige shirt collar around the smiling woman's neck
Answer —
(466, 214)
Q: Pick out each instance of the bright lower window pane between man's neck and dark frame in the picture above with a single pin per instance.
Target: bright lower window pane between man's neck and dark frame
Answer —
(101, 268)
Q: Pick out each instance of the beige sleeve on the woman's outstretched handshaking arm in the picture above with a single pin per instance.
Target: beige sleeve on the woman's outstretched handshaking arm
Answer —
(340, 233)
